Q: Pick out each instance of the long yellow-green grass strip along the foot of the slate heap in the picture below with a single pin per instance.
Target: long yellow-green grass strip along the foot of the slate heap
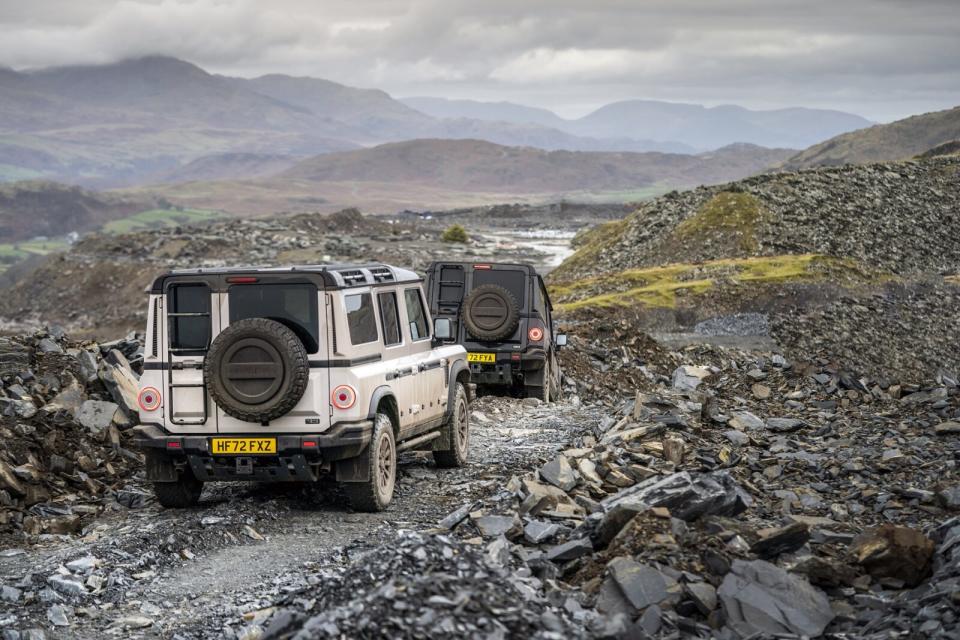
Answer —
(663, 287)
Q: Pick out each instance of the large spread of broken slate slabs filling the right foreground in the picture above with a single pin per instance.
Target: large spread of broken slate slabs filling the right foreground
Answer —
(743, 494)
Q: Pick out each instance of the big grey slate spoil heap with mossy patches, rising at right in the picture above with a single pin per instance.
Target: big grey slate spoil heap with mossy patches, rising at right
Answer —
(895, 216)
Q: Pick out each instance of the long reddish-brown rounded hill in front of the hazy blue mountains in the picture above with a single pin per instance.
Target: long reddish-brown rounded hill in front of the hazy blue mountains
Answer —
(438, 174)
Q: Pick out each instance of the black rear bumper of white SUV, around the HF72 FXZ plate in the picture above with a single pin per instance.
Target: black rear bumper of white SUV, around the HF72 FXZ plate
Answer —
(297, 458)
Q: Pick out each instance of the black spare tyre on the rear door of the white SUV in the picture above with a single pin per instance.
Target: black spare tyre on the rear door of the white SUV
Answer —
(277, 370)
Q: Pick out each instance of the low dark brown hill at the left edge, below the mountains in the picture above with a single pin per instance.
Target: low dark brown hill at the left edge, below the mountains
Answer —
(35, 208)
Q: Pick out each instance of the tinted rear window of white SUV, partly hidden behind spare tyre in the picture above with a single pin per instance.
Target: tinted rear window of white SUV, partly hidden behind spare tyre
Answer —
(293, 305)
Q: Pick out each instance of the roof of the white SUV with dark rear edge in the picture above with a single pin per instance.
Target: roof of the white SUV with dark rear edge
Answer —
(334, 276)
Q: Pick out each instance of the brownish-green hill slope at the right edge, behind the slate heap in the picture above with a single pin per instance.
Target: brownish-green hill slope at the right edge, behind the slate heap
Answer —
(883, 142)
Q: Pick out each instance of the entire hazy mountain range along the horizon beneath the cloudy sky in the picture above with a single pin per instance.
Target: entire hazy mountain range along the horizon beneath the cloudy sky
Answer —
(140, 120)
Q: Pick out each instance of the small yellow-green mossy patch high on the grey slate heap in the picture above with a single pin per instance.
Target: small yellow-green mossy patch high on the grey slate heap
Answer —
(731, 217)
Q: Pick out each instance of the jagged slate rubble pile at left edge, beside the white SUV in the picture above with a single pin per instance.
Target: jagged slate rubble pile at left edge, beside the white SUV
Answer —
(65, 408)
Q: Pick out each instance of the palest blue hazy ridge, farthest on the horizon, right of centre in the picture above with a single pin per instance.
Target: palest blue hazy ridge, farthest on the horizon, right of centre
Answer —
(665, 126)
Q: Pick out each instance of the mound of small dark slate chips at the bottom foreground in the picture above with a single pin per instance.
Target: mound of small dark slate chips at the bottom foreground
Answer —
(423, 586)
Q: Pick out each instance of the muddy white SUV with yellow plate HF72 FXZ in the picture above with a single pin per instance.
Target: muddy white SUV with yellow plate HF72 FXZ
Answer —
(289, 373)
